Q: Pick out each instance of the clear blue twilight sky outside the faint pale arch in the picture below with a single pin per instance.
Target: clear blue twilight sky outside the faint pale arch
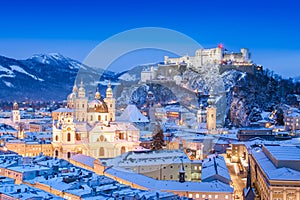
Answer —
(270, 29)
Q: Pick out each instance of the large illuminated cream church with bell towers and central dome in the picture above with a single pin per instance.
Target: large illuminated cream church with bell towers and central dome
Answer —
(89, 127)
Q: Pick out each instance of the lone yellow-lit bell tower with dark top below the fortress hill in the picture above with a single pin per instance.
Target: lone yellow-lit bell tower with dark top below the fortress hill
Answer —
(211, 112)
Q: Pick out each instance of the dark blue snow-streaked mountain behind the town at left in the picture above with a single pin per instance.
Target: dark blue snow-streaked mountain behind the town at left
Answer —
(42, 77)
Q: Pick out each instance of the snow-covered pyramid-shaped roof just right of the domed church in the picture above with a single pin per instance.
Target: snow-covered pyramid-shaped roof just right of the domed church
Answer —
(132, 114)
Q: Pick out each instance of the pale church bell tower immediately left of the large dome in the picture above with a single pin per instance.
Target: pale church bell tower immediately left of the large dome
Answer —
(81, 104)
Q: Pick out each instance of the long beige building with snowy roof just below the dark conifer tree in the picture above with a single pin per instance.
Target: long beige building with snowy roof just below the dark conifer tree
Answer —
(160, 165)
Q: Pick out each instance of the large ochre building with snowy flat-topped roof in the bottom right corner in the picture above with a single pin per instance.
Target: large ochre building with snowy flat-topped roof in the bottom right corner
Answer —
(275, 171)
